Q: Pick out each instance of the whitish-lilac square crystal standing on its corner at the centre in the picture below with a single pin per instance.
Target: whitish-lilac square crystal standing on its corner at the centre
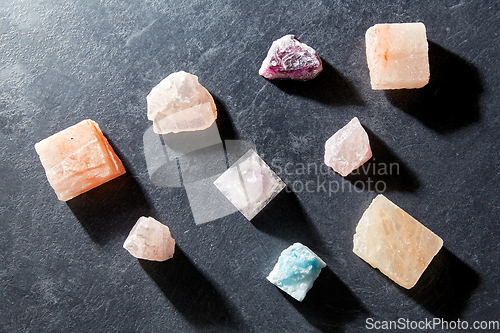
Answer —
(249, 184)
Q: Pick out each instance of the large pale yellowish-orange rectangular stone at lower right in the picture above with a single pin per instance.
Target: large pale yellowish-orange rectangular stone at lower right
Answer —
(391, 240)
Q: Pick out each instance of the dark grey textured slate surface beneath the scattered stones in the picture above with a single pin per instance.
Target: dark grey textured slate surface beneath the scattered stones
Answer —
(63, 267)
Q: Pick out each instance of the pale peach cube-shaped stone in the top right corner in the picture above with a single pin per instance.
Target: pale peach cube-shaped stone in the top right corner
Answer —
(397, 56)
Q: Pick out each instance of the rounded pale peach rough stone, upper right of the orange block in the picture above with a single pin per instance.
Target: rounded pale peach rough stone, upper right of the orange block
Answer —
(179, 103)
